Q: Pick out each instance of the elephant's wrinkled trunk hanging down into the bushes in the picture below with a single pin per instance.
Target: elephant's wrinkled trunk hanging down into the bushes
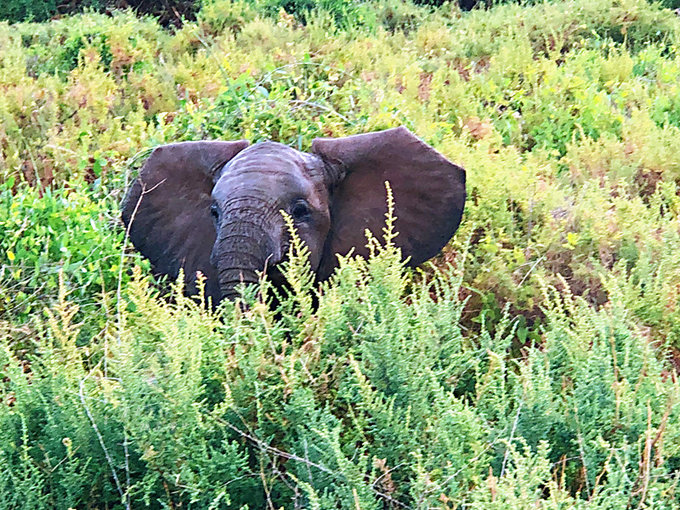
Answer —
(242, 249)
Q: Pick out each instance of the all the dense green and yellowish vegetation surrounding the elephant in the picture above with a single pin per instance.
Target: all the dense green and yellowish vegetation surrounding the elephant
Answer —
(533, 365)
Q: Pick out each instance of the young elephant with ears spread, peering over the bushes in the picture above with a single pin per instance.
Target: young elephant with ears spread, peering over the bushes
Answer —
(215, 207)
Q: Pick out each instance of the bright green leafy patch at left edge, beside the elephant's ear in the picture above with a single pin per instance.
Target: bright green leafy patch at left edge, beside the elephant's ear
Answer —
(45, 234)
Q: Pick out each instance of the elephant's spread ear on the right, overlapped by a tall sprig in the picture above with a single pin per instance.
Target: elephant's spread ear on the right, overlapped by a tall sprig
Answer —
(428, 192)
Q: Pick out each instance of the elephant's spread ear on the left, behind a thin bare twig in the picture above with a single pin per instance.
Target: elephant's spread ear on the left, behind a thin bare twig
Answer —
(167, 208)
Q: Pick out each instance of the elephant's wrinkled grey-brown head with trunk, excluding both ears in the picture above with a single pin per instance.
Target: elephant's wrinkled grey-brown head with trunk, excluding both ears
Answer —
(250, 193)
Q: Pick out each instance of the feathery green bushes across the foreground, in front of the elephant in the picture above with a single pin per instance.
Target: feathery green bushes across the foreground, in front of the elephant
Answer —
(375, 398)
